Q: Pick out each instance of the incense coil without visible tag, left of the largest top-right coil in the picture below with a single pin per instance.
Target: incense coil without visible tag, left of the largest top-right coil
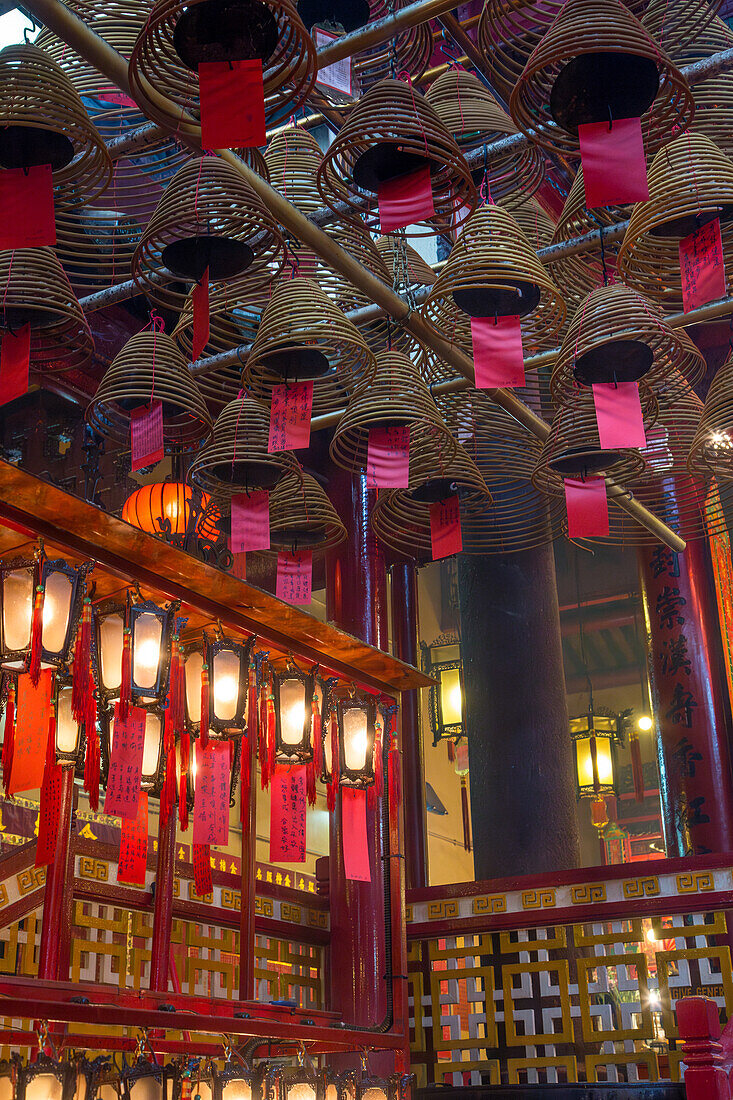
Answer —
(474, 117)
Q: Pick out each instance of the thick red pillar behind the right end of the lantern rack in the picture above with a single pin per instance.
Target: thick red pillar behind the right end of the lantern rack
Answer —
(356, 589)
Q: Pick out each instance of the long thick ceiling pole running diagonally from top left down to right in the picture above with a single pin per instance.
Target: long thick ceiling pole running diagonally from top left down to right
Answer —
(113, 65)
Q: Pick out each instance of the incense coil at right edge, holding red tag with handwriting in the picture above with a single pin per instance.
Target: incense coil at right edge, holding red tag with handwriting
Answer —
(691, 184)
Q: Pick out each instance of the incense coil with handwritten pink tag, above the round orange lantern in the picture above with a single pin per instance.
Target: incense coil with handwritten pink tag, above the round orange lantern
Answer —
(150, 368)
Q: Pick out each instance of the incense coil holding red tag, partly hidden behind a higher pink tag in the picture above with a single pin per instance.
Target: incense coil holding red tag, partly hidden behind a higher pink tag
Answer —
(574, 448)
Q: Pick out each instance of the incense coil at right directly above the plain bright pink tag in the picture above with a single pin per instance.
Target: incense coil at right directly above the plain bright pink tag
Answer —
(617, 336)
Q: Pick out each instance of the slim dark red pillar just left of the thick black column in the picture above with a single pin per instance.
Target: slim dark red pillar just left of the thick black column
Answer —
(404, 628)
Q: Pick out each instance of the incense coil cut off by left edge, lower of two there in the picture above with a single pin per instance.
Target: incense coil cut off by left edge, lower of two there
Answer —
(35, 291)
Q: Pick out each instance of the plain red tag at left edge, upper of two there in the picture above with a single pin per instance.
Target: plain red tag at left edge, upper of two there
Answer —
(27, 208)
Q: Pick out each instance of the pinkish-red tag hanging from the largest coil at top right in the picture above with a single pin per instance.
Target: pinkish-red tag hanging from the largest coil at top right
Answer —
(615, 166)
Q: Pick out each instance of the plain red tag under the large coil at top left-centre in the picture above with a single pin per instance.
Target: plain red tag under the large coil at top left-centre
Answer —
(232, 98)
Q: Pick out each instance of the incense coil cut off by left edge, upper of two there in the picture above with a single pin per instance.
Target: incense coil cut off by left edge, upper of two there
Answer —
(43, 122)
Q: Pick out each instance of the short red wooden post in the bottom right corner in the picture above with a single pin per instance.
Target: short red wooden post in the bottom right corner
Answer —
(703, 1054)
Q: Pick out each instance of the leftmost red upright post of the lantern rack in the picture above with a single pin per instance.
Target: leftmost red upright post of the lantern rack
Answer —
(57, 899)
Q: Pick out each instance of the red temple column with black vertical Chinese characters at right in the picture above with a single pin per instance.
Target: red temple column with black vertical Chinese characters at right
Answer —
(683, 639)
